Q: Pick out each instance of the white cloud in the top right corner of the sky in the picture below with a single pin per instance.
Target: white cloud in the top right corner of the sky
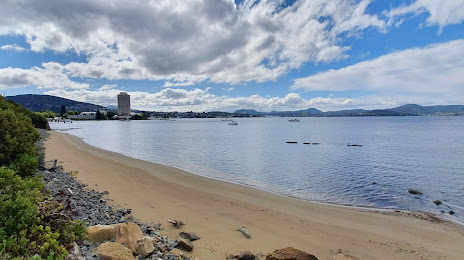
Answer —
(442, 12)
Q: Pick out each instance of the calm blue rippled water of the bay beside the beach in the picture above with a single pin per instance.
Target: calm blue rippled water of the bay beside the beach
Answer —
(397, 153)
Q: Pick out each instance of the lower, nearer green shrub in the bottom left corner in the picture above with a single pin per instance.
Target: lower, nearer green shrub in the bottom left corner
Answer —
(32, 224)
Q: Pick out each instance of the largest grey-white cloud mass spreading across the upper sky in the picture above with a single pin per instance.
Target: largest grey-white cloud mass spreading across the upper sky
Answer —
(188, 40)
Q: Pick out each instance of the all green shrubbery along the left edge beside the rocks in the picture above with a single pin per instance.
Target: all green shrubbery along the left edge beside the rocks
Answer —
(32, 225)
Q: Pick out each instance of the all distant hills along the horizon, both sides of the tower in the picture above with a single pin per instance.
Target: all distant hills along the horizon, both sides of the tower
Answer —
(45, 102)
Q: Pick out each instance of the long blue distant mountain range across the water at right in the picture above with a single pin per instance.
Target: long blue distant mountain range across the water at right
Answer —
(405, 110)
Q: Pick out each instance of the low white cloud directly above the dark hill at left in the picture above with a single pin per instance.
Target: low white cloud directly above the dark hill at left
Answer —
(49, 77)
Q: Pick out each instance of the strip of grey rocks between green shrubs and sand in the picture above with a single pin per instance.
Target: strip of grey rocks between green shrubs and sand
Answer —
(84, 203)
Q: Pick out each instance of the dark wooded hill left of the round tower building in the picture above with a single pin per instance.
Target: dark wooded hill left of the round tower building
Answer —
(40, 103)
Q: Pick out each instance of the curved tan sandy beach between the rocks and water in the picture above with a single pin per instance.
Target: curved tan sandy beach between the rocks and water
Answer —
(214, 210)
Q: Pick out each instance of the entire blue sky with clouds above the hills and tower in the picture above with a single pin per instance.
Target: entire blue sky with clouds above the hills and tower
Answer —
(224, 55)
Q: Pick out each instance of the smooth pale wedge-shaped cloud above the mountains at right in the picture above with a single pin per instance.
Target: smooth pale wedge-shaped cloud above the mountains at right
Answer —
(437, 68)
